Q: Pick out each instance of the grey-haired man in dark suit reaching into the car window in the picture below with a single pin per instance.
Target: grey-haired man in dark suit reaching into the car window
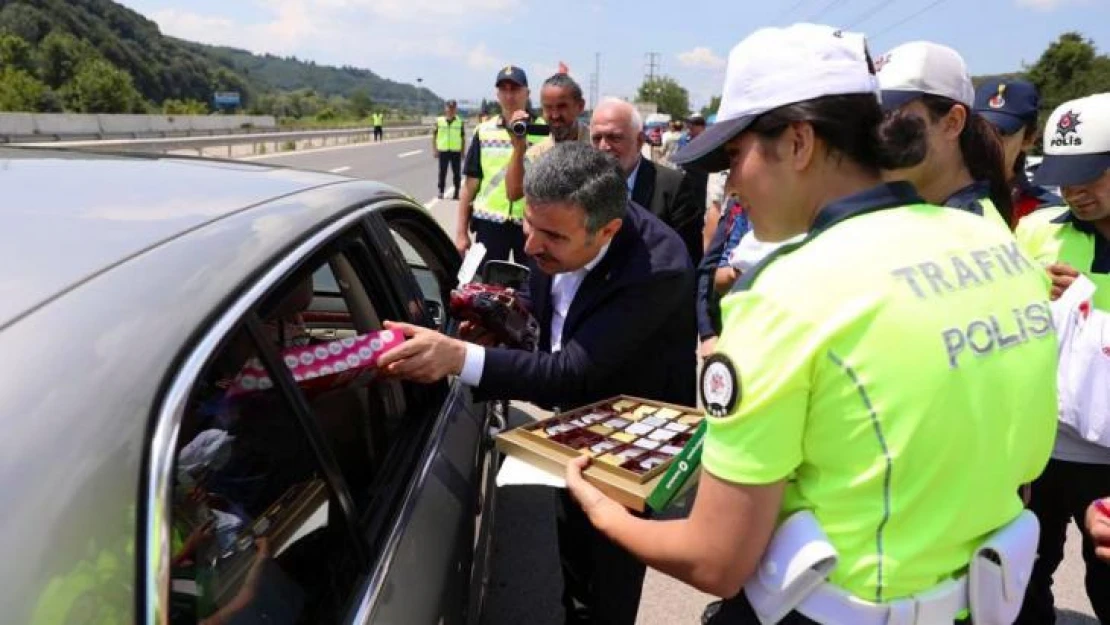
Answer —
(614, 295)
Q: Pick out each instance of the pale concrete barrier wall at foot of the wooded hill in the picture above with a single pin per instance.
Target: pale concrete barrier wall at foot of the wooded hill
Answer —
(16, 127)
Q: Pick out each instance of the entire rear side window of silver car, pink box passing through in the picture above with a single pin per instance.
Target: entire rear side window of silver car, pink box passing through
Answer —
(259, 530)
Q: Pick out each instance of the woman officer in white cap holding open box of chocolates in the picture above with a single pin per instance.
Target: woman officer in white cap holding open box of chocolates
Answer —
(881, 389)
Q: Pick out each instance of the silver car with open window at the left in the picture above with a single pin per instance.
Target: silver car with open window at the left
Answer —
(139, 487)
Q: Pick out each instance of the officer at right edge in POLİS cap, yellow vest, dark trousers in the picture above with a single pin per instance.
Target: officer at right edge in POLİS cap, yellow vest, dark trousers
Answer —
(1073, 241)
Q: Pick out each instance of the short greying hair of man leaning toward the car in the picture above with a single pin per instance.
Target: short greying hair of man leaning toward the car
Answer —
(581, 175)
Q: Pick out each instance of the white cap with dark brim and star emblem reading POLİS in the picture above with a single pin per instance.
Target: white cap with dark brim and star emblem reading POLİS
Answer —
(1077, 143)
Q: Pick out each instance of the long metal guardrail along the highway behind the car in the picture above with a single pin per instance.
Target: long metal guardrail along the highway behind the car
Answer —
(199, 144)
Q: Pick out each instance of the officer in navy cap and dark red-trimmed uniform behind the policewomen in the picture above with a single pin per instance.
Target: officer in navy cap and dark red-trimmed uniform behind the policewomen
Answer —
(1012, 107)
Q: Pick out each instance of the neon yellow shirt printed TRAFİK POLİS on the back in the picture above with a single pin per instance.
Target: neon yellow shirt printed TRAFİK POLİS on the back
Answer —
(871, 366)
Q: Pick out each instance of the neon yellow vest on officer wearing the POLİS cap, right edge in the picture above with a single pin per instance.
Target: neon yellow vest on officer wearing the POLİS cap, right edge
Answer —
(1051, 241)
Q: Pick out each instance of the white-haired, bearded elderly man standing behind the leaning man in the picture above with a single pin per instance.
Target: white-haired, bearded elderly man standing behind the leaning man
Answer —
(618, 129)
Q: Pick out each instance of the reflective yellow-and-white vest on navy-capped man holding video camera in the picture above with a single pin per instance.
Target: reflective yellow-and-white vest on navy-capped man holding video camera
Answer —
(492, 204)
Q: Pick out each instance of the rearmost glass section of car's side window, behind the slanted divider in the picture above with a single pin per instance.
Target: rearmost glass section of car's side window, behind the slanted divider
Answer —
(255, 537)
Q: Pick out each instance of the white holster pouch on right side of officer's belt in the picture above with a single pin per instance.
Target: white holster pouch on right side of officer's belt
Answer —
(1001, 572)
